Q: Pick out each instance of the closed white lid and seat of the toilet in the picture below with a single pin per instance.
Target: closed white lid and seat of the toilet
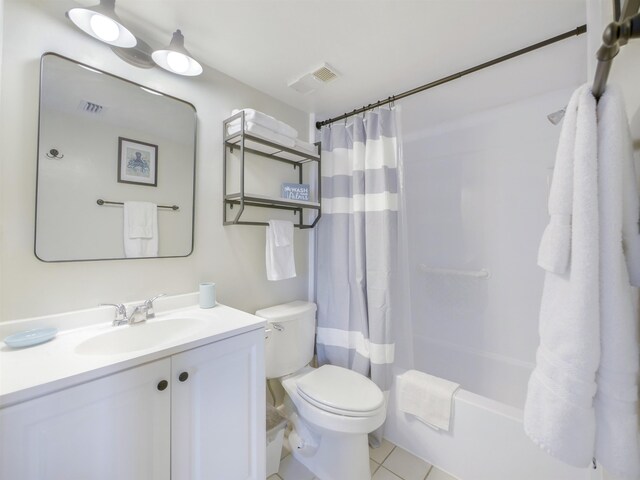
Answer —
(339, 390)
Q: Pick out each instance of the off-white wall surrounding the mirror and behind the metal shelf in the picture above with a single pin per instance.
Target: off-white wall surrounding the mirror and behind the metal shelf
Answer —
(233, 257)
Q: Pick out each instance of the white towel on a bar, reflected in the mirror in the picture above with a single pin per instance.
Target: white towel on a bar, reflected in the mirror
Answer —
(140, 229)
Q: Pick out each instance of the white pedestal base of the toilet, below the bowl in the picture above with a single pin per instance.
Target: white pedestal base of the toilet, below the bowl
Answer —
(337, 457)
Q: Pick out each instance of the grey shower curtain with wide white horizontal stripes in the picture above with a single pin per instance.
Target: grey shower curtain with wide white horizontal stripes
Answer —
(357, 245)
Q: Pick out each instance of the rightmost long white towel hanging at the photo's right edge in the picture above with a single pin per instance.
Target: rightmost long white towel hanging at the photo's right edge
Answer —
(616, 401)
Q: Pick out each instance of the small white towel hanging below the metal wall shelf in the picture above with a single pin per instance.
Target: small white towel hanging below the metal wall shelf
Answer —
(279, 250)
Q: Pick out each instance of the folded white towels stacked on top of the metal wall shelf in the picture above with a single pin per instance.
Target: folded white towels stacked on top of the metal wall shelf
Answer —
(270, 128)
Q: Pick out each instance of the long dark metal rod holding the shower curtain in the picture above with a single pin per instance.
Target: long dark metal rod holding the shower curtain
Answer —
(571, 33)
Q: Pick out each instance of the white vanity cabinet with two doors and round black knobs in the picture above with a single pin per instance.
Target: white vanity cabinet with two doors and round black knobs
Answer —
(198, 414)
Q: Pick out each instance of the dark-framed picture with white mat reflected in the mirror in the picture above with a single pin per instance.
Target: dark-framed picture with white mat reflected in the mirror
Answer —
(137, 162)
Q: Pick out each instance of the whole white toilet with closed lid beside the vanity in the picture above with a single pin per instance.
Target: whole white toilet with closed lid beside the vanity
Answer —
(331, 409)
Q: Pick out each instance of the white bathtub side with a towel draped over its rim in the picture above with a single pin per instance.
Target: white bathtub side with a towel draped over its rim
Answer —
(486, 442)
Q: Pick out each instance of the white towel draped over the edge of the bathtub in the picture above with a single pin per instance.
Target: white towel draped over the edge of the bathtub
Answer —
(428, 398)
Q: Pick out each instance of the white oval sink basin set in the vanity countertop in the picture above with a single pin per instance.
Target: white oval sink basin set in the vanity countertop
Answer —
(131, 338)
